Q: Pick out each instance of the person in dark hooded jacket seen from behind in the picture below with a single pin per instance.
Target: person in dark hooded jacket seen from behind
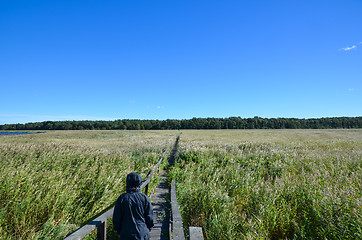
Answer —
(133, 213)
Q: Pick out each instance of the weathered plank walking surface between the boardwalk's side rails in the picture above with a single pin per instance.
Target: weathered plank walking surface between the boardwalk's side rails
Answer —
(161, 203)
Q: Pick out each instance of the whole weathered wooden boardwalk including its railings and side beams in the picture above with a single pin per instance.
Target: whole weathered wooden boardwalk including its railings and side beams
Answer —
(164, 205)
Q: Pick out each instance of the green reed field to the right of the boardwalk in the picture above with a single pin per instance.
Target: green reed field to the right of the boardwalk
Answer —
(271, 184)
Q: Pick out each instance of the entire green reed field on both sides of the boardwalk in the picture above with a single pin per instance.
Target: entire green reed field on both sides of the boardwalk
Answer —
(236, 184)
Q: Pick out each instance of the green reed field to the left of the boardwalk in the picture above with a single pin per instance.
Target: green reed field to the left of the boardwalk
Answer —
(53, 182)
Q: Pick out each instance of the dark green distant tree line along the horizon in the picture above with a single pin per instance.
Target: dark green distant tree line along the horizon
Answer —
(194, 123)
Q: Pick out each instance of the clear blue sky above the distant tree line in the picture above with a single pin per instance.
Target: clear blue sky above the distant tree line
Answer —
(88, 60)
